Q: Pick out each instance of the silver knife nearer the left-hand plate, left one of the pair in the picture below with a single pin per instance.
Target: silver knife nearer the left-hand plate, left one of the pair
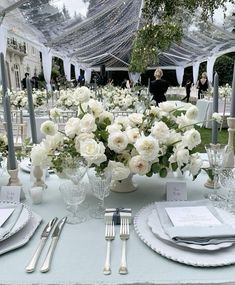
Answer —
(46, 232)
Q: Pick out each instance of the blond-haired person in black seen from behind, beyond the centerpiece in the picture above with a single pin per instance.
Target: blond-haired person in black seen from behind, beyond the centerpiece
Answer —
(158, 87)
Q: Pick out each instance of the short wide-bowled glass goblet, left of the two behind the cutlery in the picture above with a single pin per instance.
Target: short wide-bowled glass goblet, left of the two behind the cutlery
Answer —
(73, 195)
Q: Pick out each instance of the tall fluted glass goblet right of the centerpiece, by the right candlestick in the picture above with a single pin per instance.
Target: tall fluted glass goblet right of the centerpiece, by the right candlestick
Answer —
(217, 155)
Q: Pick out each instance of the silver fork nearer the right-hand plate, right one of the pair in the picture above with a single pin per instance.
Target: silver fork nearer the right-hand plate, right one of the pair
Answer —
(124, 235)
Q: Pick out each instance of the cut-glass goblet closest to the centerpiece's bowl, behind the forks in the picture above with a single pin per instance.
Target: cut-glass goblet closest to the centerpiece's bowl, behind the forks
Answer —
(100, 186)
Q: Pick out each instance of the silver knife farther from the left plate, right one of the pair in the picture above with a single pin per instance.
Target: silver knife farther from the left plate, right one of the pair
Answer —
(55, 236)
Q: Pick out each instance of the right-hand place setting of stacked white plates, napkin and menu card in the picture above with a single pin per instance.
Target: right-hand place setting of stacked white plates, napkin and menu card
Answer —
(191, 232)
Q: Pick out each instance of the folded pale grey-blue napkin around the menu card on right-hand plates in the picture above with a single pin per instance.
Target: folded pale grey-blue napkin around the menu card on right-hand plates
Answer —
(202, 235)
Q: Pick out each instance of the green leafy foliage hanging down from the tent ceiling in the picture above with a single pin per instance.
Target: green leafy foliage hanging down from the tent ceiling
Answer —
(163, 25)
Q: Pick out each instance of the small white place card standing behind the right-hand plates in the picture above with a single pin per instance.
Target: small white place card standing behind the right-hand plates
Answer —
(176, 191)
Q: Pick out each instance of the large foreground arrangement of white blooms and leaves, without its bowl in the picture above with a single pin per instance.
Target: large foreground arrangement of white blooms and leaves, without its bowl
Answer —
(160, 140)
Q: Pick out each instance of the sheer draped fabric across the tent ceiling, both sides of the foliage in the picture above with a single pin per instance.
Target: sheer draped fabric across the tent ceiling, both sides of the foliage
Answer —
(104, 34)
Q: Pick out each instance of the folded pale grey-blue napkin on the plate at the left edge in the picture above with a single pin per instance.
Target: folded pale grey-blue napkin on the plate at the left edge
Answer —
(11, 221)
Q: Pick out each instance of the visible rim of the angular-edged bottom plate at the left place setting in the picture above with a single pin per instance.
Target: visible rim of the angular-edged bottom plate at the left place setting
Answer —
(22, 236)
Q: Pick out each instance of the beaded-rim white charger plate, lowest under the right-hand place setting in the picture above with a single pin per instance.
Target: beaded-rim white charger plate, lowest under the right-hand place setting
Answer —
(222, 257)
